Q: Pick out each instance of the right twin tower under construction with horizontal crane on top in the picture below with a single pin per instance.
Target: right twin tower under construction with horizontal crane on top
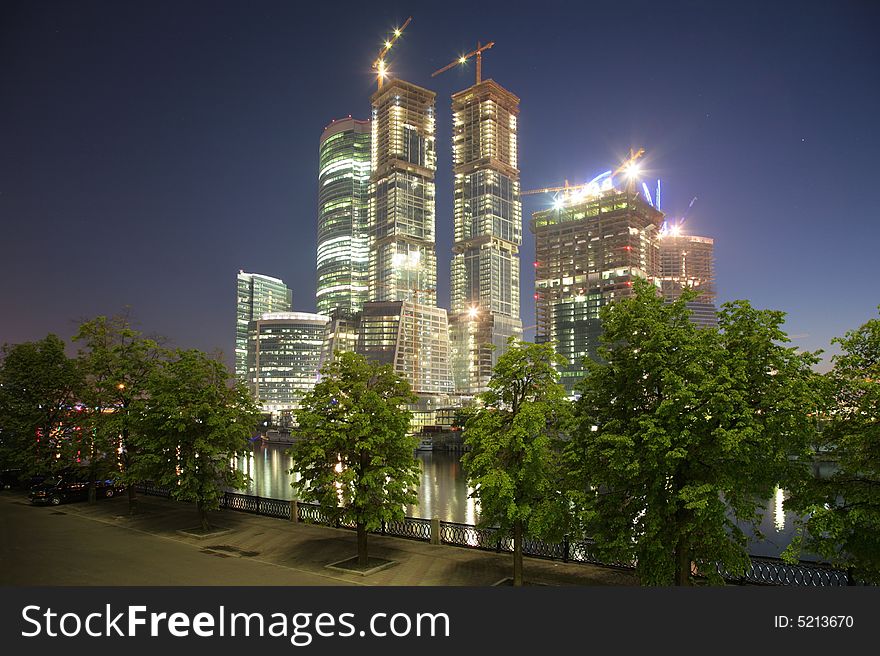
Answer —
(488, 232)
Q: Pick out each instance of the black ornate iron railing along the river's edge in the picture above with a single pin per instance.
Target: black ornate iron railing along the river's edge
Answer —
(763, 570)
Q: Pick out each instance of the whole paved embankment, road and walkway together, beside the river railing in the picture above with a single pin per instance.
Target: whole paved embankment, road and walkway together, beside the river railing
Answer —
(101, 544)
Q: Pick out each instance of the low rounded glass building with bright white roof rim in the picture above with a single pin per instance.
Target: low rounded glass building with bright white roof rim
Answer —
(284, 354)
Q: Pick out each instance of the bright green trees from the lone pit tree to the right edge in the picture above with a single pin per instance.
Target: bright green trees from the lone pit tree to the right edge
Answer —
(677, 438)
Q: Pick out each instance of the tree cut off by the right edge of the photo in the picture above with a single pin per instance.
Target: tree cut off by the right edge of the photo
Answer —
(842, 512)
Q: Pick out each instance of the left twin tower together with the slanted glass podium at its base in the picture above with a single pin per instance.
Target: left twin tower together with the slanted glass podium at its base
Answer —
(402, 325)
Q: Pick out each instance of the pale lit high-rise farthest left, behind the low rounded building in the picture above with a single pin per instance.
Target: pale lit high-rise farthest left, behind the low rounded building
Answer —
(257, 294)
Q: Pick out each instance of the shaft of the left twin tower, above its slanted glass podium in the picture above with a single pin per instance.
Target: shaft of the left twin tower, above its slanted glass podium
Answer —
(403, 260)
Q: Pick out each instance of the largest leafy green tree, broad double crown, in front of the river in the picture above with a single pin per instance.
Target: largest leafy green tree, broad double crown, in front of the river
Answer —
(684, 431)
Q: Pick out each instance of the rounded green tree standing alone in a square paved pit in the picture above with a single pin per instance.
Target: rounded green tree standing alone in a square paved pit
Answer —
(356, 457)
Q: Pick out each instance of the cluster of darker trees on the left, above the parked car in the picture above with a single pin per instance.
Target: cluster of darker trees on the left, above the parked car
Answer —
(124, 407)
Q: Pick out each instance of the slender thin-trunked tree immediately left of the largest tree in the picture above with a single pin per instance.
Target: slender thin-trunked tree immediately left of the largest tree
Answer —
(512, 463)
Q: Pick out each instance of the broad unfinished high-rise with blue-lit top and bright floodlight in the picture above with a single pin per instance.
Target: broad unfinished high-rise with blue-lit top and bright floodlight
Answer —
(588, 250)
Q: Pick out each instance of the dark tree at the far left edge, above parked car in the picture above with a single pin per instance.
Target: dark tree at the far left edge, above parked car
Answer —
(39, 389)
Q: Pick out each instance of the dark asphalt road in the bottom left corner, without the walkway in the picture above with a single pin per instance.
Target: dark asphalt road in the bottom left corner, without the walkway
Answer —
(45, 545)
